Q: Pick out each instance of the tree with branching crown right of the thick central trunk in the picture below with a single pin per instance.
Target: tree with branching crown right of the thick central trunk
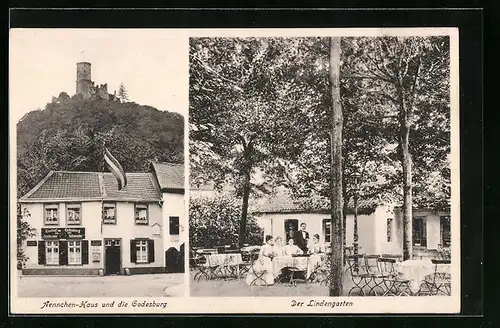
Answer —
(405, 79)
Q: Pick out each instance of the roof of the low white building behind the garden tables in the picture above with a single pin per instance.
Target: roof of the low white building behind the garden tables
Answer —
(283, 202)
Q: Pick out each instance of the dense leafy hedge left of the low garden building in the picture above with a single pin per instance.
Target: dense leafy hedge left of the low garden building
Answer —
(215, 222)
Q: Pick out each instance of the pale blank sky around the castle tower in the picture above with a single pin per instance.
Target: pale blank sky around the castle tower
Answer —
(152, 64)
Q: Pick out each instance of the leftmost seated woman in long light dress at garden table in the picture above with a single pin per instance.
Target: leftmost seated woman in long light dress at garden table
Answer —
(263, 266)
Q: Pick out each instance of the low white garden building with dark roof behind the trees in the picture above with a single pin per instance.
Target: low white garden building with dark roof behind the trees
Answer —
(380, 226)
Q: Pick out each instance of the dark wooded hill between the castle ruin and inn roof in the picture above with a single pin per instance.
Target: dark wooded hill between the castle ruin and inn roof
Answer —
(69, 134)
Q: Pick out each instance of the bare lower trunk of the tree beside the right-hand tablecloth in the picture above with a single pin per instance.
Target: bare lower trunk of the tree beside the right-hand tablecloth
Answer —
(407, 191)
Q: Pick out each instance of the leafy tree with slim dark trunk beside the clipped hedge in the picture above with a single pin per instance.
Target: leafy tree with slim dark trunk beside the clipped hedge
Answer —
(248, 108)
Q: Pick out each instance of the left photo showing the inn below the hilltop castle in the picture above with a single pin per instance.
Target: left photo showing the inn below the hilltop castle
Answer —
(99, 144)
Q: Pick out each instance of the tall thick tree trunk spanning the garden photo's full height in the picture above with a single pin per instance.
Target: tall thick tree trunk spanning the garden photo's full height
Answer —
(336, 171)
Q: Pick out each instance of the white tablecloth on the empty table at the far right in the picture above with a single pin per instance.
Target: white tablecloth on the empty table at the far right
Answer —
(417, 270)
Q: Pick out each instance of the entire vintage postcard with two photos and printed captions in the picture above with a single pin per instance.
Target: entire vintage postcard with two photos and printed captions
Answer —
(235, 171)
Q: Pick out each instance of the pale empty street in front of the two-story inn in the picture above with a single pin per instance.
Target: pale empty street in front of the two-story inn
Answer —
(147, 285)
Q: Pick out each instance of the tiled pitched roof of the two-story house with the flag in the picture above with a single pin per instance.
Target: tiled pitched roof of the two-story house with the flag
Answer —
(88, 186)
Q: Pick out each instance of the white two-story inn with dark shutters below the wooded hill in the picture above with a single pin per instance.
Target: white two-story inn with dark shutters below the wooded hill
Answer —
(86, 226)
